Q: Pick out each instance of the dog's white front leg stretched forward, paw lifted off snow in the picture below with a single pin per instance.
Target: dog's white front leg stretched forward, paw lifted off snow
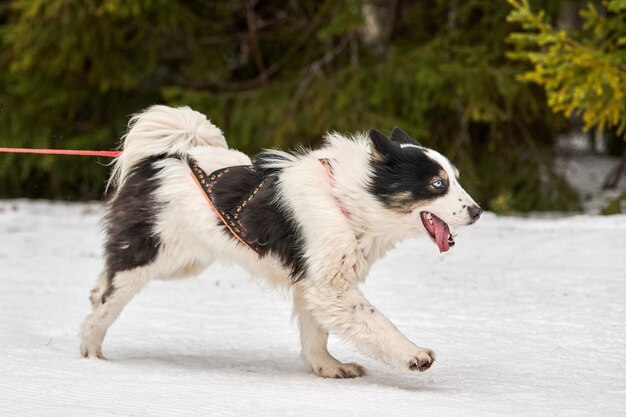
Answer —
(345, 311)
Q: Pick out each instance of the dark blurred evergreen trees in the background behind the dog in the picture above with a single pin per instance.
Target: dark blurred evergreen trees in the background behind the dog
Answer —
(274, 75)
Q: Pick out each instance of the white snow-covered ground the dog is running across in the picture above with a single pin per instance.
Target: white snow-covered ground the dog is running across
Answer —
(527, 316)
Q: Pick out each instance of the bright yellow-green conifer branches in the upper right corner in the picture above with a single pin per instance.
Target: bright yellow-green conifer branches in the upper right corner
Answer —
(585, 76)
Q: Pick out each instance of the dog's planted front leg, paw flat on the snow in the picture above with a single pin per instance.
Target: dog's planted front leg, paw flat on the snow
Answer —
(314, 341)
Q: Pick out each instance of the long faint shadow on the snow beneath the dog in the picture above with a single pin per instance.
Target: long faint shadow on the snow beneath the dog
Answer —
(273, 365)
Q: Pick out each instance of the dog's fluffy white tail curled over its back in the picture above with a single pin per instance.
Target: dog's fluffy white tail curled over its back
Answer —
(163, 130)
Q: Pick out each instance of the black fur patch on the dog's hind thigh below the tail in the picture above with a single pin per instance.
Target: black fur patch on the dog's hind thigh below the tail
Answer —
(129, 222)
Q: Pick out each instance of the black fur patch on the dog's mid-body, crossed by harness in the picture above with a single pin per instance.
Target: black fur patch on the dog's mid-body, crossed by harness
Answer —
(270, 227)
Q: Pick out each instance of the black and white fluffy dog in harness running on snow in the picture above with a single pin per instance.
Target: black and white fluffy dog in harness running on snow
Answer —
(313, 221)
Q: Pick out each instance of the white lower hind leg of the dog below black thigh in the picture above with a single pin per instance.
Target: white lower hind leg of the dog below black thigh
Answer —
(109, 299)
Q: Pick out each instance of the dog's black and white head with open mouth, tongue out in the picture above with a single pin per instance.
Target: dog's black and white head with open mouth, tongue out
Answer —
(420, 183)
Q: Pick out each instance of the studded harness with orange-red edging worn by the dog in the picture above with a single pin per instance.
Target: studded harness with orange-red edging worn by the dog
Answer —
(230, 214)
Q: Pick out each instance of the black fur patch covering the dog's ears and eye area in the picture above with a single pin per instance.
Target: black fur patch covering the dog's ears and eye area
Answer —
(402, 176)
